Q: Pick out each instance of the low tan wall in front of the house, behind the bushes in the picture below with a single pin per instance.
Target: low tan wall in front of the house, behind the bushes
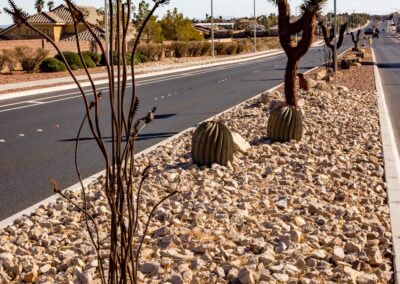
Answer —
(37, 43)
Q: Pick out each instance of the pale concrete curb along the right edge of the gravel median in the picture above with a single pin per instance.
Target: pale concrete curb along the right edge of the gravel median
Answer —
(392, 169)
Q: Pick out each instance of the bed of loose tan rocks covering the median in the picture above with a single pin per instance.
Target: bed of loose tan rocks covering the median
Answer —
(308, 212)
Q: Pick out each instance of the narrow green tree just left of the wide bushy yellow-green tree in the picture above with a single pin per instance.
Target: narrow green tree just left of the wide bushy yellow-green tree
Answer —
(152, 31)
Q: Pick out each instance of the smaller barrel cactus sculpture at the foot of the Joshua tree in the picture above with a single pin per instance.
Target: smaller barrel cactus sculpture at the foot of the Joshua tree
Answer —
(285, 124)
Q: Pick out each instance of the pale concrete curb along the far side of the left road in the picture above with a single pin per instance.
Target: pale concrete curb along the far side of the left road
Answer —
(28, 93)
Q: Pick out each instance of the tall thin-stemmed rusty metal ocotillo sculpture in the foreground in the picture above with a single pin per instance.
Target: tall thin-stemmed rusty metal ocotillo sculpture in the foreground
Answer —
(122, 188)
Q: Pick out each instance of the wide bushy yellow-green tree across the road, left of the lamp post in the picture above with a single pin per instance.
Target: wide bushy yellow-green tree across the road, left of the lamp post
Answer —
(177, 27)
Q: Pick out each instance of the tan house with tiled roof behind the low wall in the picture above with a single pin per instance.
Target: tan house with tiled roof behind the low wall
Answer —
(57, 24)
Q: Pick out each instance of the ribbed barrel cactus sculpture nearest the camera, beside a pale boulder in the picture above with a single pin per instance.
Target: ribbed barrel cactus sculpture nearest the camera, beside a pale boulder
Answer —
(212, 142)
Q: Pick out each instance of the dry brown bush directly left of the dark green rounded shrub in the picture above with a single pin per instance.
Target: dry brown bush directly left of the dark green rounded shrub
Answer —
(29, 58)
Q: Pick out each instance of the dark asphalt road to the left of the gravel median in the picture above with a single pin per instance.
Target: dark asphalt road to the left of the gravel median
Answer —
(37, 134)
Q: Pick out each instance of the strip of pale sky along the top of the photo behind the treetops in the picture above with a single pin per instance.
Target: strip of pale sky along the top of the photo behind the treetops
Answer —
(237, 8)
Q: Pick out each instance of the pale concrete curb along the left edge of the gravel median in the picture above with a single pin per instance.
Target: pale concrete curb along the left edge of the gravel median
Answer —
(77, 187)
